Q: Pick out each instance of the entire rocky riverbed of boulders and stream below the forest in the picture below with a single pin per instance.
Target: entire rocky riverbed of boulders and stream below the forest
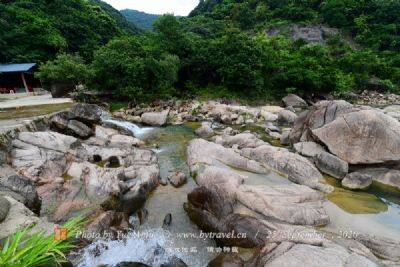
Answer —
(294, 184)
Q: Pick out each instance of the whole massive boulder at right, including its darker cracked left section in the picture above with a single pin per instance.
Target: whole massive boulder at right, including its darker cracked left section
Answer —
(356, 134)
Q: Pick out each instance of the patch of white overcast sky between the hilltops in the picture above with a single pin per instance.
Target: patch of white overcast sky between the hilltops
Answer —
(178, 7)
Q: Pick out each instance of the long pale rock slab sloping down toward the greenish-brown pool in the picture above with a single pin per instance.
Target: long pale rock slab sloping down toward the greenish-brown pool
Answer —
(297, 168)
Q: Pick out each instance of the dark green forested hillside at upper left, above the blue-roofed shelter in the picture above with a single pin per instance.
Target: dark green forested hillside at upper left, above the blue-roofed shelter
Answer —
(36, 30)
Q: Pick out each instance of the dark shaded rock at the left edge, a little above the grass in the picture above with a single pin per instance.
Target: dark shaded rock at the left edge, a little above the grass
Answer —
(25, 191)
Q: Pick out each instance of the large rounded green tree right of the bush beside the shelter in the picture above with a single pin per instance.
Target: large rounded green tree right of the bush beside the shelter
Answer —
(133, 71)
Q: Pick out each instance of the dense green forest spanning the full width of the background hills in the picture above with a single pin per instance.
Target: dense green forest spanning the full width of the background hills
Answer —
(224, 48)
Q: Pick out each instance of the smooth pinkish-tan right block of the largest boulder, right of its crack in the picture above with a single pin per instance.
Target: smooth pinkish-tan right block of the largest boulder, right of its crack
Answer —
(363, 137)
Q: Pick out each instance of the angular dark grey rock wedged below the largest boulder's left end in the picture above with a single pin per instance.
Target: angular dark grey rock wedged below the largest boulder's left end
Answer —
(332, 165)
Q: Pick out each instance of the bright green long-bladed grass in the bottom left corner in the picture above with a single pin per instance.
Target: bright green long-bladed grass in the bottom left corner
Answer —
(23, 249)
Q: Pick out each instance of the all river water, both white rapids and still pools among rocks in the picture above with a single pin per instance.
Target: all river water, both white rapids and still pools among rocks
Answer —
(376, 211)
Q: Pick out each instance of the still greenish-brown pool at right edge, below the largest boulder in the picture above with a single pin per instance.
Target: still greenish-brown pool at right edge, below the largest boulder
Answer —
(374, 211)
